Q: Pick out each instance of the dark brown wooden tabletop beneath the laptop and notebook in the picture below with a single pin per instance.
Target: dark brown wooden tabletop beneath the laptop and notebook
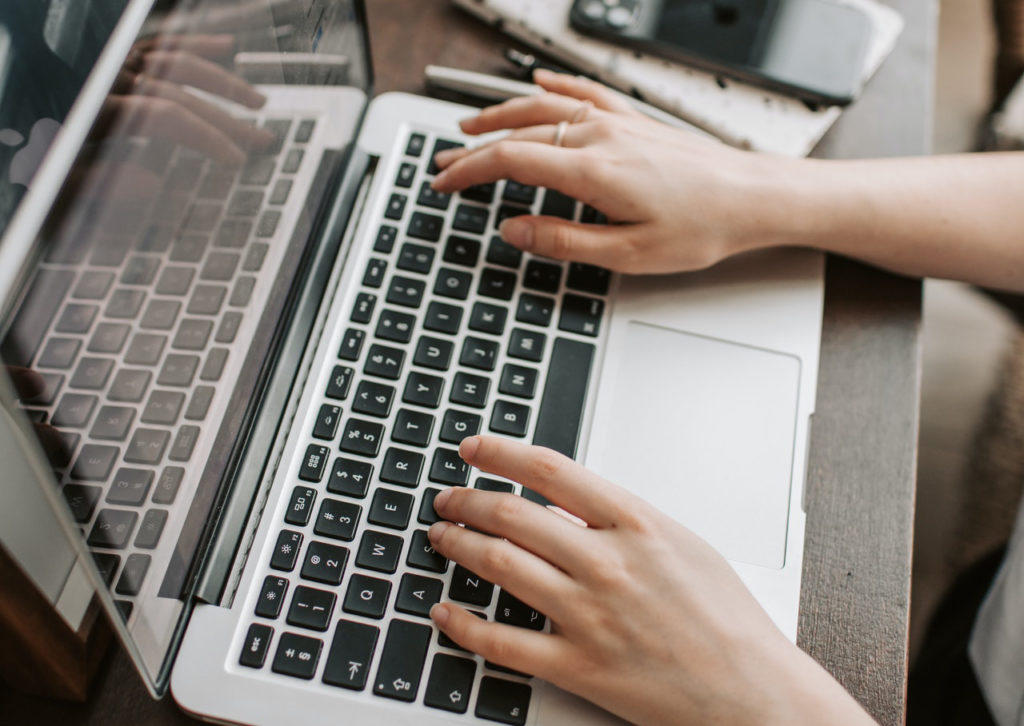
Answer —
(856, 600)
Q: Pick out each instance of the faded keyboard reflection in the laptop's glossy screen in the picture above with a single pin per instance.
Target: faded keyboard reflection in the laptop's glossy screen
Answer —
(135, 334)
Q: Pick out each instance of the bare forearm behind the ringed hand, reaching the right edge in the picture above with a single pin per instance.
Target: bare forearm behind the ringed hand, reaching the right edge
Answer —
(958, 218)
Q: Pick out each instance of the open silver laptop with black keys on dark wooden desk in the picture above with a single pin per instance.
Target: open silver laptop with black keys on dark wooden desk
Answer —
(243, 362)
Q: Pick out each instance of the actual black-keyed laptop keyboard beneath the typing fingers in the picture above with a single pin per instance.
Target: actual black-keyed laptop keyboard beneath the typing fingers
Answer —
(452, 333)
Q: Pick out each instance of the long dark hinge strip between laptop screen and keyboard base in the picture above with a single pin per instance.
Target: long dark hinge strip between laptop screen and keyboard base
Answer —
(259, 468)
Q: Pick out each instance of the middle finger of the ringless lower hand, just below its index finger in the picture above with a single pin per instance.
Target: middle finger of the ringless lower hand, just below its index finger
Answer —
(526, 524)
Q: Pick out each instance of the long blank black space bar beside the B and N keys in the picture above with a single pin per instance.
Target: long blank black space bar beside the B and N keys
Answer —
(561, 416)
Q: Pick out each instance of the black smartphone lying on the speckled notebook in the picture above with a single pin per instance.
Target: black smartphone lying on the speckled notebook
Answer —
(814, 50)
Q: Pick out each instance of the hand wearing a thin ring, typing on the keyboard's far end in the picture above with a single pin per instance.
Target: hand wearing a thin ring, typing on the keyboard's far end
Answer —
(677, 201)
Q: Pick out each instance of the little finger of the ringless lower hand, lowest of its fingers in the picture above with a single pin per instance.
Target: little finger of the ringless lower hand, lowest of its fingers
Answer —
(539, 655)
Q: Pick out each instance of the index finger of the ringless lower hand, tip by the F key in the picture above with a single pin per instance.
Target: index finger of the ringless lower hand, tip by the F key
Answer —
(575, 489)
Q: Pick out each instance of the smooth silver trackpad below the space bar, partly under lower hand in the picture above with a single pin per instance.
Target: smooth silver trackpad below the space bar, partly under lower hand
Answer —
(705, 430)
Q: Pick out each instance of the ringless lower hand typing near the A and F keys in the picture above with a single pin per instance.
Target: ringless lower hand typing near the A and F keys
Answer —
(649, 622)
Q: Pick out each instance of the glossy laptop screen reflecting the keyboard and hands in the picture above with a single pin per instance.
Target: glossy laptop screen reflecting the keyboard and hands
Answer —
(150, 266)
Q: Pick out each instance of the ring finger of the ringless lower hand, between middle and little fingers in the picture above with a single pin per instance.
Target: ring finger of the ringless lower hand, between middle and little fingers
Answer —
(530, 578)
